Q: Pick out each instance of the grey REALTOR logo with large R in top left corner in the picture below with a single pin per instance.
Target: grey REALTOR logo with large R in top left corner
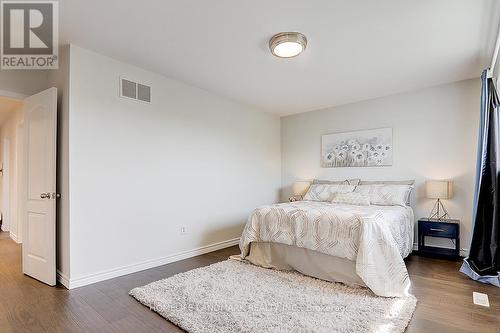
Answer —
(29, 31)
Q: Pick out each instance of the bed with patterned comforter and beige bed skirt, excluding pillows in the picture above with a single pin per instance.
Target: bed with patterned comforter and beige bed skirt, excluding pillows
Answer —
(353, 244)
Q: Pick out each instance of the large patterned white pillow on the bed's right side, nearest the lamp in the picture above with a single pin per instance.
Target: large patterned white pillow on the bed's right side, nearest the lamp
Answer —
(386, 195)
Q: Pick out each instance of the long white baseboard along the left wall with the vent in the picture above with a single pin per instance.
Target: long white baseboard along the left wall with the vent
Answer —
(147, 264)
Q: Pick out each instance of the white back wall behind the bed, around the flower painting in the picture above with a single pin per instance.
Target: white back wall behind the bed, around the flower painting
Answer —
(434, 137)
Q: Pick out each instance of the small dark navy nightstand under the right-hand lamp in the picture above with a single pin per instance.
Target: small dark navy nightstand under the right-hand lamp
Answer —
(446, 228)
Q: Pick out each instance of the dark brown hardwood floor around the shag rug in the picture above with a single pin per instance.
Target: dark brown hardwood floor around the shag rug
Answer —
(26, 305)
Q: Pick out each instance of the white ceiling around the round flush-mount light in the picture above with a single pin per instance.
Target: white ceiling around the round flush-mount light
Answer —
(357, 49)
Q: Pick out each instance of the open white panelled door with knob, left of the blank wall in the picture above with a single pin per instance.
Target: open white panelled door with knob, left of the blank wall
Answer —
(39, 229)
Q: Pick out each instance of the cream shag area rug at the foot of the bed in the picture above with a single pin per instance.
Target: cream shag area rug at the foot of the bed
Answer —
(233, 296)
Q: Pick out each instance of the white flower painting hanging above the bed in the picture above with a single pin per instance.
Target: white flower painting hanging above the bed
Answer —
(357, 149)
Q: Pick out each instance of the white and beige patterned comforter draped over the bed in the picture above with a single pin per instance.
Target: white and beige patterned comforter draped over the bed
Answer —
(377, 238)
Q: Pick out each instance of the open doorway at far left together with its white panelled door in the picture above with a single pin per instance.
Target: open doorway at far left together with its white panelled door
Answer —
(28, 152)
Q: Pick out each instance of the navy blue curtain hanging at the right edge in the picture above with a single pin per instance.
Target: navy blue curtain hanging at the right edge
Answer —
(483, 262)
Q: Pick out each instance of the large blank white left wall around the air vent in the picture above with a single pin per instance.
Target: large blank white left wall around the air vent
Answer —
(138, 172)
